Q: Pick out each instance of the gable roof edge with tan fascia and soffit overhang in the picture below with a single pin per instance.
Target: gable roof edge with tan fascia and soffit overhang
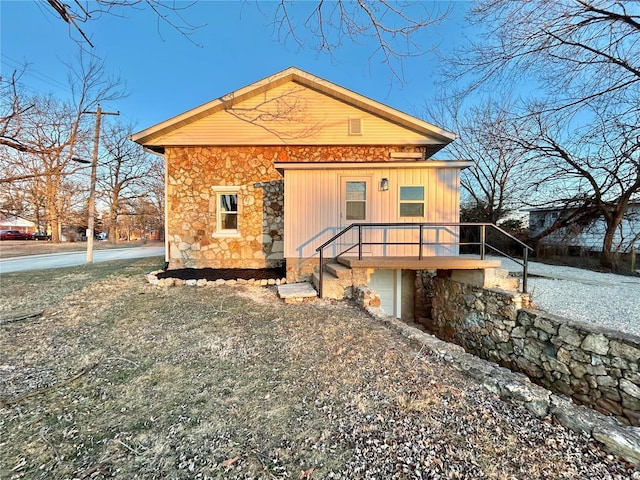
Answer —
(159, 135)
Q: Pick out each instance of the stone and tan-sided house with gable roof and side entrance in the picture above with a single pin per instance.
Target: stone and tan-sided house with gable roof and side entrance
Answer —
(263, 176)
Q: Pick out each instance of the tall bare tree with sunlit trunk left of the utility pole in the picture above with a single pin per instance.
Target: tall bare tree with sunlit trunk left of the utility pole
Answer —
(56, 132)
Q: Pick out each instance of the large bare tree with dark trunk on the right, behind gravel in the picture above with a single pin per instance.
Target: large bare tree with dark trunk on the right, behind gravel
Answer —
(579, 123)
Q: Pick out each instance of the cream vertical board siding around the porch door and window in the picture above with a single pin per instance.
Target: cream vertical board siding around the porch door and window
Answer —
(312, 210)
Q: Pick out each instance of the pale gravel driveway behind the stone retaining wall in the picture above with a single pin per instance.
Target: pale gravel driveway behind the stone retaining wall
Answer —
(610, 300)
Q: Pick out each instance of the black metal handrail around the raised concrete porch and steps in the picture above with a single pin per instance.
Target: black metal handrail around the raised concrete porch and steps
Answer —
(482, 243)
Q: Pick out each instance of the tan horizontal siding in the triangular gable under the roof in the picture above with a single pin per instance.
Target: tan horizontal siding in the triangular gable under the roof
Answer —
(290, 114)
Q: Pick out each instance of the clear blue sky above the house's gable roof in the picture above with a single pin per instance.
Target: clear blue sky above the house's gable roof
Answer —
(166, 74)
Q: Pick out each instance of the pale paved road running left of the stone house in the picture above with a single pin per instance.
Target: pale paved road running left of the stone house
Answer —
(70, 259)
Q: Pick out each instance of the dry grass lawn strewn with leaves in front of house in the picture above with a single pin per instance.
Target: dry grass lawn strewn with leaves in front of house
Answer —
(120, 379)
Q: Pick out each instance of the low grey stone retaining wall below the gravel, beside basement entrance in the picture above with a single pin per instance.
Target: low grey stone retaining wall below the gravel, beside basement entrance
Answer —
(595, 366)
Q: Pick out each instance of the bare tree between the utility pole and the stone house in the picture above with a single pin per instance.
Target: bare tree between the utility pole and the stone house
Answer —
(124, 174)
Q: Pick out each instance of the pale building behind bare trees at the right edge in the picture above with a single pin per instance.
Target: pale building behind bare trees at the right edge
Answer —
(588, 237)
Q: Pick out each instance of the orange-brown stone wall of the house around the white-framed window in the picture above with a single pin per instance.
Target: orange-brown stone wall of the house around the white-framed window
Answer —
(192, 202)
